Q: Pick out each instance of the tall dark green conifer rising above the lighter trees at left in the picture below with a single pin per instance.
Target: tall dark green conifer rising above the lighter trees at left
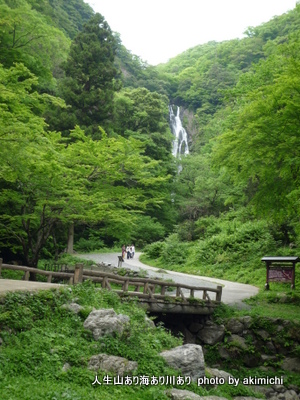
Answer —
(90, 80)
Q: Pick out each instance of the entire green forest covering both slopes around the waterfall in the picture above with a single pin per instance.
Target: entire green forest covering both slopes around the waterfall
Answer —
(88, 144)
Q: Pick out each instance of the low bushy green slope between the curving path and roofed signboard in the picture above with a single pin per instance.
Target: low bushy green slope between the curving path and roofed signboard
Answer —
(228, 247)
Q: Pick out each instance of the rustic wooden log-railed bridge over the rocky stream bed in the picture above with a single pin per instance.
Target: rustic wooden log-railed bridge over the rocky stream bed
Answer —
(156, 296)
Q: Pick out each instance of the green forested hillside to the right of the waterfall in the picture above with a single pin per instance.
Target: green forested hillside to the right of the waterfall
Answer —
(238, 193)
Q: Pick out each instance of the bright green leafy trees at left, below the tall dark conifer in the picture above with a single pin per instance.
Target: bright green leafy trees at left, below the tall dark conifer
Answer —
(39, 190)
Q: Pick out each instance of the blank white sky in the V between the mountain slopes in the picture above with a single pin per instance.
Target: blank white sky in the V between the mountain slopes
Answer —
(157, 30)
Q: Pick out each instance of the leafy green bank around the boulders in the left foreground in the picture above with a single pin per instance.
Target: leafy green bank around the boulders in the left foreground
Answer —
(44, 350)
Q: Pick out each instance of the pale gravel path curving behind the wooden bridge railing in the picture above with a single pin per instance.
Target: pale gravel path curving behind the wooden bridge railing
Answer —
(233, 293)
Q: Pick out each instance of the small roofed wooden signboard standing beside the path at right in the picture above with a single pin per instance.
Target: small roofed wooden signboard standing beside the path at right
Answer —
(280, 269)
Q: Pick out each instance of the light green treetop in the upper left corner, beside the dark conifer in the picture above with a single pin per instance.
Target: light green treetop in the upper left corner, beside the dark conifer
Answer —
(27, 37)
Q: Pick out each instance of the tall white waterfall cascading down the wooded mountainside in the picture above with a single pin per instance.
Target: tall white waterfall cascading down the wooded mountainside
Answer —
(180, 142)
